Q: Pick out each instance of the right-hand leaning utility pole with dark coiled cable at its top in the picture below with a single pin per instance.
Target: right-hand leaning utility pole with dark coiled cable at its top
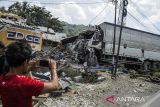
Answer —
(124, 14)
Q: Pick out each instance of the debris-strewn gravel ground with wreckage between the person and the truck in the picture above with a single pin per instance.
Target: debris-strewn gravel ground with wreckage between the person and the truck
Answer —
(90, 87)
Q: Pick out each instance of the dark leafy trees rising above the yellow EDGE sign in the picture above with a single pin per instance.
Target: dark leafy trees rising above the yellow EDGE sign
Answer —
(36, 16)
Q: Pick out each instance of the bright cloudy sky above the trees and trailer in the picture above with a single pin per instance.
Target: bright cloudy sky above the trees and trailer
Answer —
(142, 14)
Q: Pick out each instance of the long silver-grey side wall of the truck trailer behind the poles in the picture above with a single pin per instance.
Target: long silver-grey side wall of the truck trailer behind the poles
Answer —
(133, 42)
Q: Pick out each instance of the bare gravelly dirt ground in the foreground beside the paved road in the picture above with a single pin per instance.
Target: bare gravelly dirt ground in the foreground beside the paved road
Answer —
(95, 94)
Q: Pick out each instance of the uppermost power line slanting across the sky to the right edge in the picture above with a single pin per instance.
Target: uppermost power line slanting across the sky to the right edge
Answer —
(144, 16)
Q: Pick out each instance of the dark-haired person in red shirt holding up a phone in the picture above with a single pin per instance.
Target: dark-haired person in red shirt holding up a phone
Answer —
(16, 90)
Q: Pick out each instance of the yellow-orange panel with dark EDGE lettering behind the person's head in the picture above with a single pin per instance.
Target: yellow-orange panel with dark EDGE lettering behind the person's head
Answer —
(12, 33)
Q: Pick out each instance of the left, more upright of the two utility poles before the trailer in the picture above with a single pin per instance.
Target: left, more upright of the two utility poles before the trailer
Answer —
(114, 38)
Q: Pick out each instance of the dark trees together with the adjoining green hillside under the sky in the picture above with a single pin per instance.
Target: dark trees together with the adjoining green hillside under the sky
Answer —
(39, 16)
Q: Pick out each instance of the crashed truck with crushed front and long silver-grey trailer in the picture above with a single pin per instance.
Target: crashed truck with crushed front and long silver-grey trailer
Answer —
(138, 49)
